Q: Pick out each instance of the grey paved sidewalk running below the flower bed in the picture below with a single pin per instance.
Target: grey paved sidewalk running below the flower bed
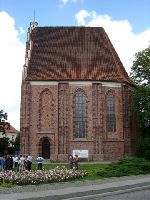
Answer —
(74, 189)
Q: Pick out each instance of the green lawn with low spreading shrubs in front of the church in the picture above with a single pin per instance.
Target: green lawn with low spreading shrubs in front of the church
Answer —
(125, 167)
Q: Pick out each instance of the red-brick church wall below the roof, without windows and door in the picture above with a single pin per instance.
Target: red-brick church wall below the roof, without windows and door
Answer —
(47, 112)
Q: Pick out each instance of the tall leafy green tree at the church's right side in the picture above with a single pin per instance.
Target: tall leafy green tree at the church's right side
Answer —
(140, 73)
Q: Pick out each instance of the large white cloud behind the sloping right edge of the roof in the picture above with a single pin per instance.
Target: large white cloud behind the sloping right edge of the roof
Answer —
(120, 32)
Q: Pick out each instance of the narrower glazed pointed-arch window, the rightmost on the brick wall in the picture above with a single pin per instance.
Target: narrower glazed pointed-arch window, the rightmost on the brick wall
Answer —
(111, 119)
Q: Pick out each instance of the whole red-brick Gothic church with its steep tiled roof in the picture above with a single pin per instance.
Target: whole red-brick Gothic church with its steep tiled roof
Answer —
(75, 95)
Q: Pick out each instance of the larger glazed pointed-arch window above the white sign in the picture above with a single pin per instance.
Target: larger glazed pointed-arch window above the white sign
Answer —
(79, 119)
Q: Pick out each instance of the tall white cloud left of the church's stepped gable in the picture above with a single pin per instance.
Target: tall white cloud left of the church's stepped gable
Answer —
(12, 52)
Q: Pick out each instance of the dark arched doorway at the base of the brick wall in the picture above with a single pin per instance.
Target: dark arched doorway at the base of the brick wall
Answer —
(46, 148)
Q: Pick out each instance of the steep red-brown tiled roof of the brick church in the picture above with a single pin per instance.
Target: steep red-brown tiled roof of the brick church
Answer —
(74, 53)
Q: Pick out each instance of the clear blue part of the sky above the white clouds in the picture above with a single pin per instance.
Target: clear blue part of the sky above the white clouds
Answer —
(55, 12)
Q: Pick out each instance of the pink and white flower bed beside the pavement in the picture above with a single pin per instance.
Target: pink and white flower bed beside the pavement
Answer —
(40, 176)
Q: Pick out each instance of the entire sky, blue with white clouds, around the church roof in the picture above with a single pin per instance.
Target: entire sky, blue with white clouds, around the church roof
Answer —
(126, 22)
